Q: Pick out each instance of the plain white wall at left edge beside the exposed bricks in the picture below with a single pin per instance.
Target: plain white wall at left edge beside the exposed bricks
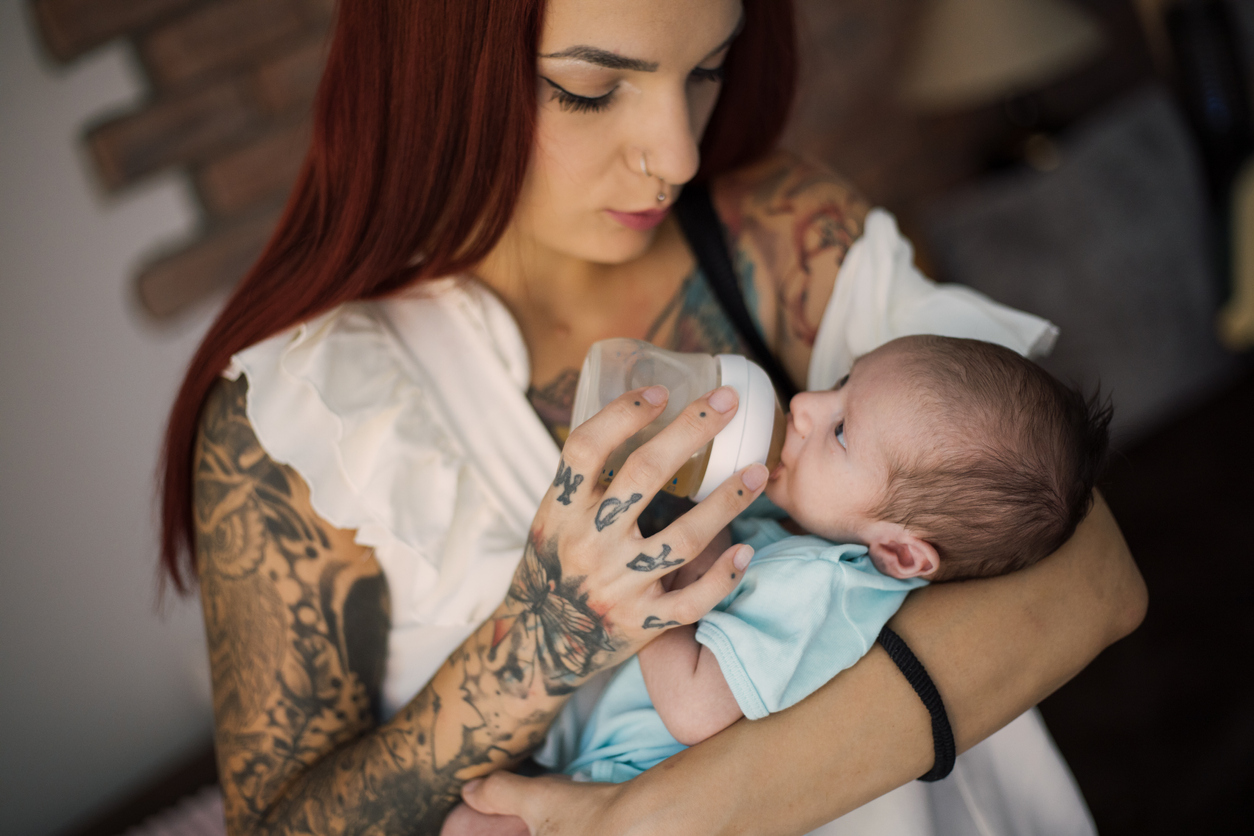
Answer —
(97, 690)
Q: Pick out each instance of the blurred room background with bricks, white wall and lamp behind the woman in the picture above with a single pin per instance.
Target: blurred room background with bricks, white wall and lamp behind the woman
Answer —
(1085, 160)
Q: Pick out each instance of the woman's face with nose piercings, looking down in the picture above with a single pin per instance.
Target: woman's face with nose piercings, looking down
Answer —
(619, 81)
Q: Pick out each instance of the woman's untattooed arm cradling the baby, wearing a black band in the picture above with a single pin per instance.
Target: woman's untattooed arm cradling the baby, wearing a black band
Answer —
(994, 649)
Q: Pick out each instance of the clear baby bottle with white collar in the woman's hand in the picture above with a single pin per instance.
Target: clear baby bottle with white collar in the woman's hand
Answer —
(756, 434)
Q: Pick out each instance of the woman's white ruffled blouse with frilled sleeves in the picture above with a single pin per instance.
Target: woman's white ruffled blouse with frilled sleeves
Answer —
(409, 422)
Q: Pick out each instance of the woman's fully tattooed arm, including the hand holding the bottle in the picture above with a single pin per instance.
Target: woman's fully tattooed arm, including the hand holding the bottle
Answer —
(297, 617)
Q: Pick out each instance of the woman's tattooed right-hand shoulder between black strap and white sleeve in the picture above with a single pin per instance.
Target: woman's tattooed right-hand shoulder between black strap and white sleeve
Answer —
(791, 224)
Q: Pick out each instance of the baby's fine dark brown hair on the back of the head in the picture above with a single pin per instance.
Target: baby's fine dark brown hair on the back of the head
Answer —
(1015, 463)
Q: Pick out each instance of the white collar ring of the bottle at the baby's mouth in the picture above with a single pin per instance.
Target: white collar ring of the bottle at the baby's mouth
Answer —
(748, 438)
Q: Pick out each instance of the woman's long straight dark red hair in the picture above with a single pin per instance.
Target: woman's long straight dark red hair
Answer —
(423, 128)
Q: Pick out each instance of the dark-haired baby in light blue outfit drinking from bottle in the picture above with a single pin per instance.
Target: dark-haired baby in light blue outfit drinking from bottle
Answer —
(935, 459)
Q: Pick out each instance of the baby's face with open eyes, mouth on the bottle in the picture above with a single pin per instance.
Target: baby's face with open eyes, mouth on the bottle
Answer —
(837, 456)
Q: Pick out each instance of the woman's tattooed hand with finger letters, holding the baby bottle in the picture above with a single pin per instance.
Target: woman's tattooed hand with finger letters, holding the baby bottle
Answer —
(589, 592)
